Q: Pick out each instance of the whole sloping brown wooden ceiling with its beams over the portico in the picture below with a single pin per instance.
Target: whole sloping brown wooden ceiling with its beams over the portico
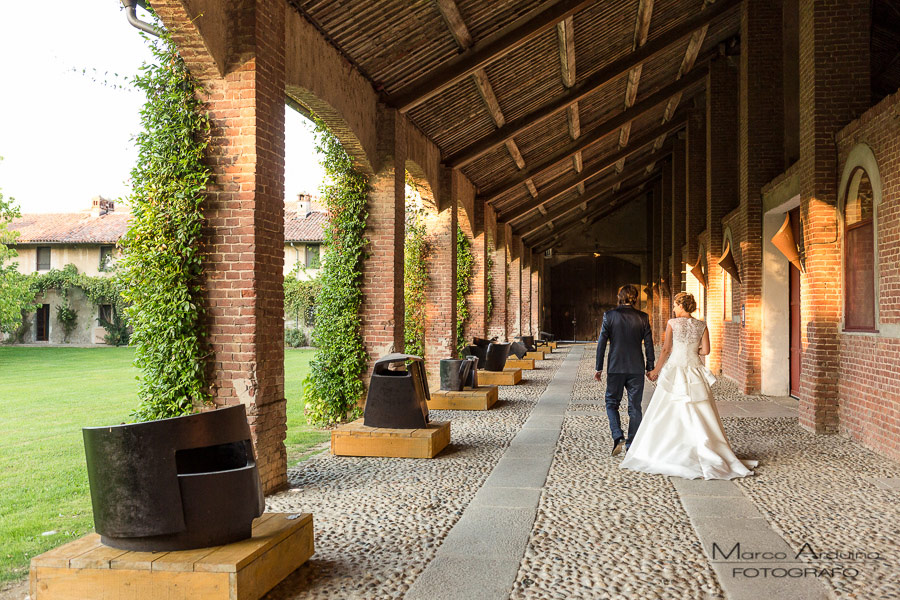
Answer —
(557, 110)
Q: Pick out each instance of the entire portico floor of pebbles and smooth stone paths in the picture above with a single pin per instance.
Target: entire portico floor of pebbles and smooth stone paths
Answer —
(527, 503)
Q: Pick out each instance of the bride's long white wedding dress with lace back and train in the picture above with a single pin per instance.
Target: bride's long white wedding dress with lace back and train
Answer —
(681, 433)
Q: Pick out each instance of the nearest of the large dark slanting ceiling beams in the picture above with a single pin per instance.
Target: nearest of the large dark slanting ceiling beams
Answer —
(514, 35)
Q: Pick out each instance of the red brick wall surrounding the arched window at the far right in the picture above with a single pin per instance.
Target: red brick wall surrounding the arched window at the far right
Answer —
(869, 403)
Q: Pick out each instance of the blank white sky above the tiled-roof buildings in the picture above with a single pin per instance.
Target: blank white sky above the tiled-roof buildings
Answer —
(65, 137)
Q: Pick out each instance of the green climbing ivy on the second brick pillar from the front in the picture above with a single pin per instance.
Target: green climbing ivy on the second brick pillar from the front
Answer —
(333, 388)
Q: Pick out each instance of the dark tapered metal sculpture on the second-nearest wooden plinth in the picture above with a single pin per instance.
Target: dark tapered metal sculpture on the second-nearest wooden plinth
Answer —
(398, 397)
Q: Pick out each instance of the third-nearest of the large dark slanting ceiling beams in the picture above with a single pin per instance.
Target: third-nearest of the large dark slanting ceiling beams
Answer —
(599, 133)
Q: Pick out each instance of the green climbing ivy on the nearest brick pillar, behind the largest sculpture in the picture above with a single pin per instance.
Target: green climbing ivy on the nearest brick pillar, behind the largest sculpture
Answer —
(161, 267)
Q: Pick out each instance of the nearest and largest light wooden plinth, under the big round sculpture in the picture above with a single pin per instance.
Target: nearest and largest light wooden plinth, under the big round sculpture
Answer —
(86, 569)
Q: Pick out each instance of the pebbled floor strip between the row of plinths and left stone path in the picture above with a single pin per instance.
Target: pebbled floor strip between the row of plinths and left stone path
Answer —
(379, 521)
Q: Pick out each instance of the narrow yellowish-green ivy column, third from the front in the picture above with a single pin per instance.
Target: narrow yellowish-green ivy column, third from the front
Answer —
(415, 280)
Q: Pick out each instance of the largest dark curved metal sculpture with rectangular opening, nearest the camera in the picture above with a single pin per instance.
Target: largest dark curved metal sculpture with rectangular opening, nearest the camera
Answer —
(174, 484)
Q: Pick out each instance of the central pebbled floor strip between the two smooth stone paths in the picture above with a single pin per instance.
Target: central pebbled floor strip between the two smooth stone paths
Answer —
(603, 532)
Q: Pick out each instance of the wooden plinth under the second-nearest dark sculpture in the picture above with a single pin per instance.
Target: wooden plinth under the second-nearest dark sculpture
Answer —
(355, 439)
